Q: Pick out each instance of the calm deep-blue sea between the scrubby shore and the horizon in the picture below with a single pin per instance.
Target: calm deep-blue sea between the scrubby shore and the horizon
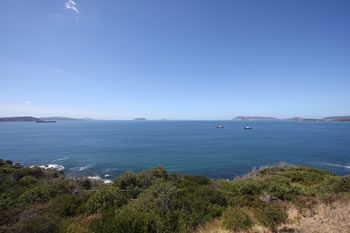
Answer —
(190, 147)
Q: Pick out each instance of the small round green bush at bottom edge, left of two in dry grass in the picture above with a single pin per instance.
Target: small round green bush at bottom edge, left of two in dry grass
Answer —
(237, 219)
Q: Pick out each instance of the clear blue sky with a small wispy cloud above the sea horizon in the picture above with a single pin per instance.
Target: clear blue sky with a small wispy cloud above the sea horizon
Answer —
(174, 59)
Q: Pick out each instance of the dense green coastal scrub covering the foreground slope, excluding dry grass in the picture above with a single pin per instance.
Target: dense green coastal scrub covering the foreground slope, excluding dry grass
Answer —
(39, 200)
